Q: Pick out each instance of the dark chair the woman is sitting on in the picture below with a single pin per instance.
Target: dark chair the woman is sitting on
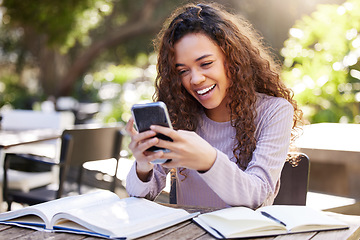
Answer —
(294, 181)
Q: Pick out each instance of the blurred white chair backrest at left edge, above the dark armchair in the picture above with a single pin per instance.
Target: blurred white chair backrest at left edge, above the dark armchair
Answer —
(18, 119)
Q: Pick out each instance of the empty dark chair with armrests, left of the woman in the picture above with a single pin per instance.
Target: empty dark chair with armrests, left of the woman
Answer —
(78, 145)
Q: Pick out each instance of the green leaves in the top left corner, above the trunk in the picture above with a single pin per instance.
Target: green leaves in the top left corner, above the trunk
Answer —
(63, 21)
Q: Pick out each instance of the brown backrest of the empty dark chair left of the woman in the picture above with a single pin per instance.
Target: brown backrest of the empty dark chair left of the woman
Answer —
(82, 145)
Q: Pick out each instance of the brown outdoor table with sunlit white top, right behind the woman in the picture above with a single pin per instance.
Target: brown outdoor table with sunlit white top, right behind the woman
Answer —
(334, 153)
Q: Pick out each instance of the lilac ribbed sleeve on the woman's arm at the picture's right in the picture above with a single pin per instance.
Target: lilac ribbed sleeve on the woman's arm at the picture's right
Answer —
(258, 184)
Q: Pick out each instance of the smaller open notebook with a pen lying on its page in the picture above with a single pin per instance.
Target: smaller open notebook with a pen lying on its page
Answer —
(242, 222)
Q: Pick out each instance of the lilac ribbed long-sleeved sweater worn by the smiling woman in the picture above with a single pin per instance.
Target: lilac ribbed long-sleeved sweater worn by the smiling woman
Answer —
(225, 184)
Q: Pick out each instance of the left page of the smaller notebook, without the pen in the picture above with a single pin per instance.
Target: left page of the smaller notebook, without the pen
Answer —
(241, 221)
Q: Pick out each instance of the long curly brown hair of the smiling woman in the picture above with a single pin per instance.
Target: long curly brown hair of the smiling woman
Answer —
(249, 64)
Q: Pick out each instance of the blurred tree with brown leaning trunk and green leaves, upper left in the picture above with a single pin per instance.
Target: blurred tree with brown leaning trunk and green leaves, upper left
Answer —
(64, 37)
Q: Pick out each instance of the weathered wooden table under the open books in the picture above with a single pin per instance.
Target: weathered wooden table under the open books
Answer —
(189, 230)
